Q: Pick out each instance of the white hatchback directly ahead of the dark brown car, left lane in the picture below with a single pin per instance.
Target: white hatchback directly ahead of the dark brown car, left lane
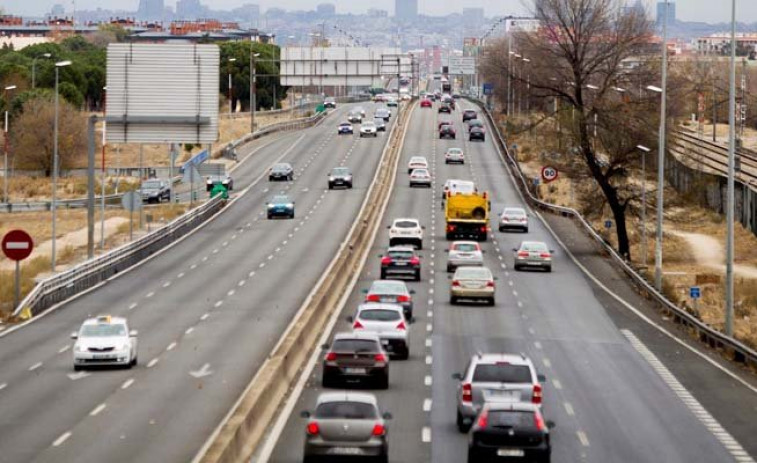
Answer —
(388, 322)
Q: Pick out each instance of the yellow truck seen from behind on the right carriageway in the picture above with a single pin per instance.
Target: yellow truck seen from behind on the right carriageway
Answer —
(467, 215)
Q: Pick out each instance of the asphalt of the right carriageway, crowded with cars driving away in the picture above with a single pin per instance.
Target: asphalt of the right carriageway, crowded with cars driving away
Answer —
(612, 398)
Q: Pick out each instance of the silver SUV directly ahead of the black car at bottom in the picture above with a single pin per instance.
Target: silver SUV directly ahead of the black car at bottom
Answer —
(495, 377)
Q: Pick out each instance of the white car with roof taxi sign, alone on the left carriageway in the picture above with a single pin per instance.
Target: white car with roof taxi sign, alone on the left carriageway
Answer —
(104, 340)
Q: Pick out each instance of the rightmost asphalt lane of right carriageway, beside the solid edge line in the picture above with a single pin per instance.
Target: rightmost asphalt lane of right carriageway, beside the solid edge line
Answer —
(581, 343)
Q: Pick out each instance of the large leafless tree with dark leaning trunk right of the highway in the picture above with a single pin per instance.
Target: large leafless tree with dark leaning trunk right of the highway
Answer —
(577, 64)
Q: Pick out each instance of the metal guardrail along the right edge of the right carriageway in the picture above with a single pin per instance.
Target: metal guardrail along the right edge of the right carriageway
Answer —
(738, 351)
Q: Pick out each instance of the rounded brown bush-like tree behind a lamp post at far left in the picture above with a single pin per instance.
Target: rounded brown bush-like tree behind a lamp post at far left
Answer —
(33, 135)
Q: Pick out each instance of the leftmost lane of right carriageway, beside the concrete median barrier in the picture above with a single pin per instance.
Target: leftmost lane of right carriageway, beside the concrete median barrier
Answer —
(404, 398)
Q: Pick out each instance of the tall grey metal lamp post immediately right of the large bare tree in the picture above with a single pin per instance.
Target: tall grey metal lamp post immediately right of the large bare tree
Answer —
(661, 153)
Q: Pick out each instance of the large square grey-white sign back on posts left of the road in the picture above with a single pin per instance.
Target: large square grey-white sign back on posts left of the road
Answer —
(162, 93)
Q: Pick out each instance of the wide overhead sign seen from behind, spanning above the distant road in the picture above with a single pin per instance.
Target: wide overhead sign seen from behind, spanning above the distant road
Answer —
(349, 66)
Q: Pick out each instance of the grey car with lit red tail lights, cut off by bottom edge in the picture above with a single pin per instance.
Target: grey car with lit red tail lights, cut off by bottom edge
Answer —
(346, 424)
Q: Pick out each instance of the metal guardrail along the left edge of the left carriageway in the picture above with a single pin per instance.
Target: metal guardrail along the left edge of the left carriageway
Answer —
(66, 284)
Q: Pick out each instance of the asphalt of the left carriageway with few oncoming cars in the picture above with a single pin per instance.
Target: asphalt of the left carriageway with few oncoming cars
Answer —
(208, 312)
